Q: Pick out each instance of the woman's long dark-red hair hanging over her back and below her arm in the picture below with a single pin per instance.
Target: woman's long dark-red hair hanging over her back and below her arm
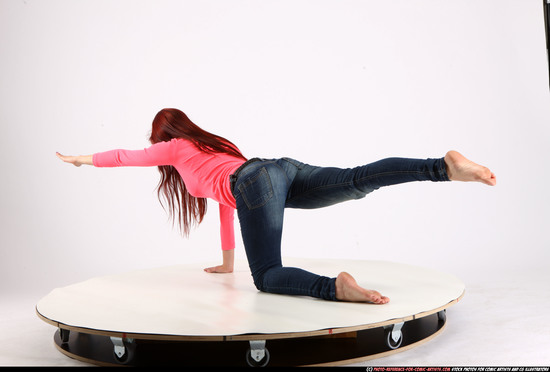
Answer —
(186, 209)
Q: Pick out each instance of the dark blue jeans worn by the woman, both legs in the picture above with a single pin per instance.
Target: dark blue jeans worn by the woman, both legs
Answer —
(263, 188)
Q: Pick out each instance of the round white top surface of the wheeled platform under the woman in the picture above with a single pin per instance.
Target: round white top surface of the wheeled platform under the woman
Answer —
(183, 300)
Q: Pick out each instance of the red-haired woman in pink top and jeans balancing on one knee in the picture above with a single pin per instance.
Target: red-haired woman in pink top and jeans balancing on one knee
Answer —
(196, 165)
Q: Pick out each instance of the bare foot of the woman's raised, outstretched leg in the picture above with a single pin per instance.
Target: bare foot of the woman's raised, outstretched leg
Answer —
(461, 169)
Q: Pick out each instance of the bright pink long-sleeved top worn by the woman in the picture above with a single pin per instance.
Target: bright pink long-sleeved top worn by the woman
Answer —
(205, 175)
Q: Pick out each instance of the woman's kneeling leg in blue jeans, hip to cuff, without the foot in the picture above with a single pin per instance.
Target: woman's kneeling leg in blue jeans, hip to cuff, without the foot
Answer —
(260, 193)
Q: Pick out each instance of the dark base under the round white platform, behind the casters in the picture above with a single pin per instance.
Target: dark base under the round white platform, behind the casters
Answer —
(334, 349)
